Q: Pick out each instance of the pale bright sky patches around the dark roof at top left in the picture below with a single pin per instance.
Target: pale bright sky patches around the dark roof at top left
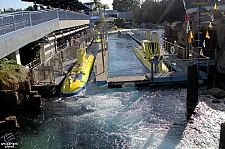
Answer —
(15, 4)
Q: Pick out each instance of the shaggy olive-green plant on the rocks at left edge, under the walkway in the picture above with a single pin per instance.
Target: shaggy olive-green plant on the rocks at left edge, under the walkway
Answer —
(8, 73)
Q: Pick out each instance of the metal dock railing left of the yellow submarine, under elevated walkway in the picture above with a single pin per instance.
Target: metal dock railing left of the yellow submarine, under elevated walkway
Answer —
(53, 67)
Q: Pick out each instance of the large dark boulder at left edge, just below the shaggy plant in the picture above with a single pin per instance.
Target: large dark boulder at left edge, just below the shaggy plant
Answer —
(10, 98)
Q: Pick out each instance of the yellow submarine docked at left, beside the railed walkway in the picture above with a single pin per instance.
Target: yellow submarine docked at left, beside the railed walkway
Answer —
(77, 78)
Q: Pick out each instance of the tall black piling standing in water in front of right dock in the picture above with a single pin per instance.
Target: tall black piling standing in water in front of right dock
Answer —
(192, 90)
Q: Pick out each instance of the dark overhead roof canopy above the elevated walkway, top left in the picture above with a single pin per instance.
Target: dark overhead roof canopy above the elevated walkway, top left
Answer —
(63, 4)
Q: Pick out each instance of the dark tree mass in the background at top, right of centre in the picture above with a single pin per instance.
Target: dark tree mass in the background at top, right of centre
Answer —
(151, 10)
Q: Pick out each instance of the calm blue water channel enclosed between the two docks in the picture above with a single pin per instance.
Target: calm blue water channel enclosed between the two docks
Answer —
(122, 61)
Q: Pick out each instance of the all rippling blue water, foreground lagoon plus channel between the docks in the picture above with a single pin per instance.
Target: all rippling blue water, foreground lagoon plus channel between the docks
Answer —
(125, 118)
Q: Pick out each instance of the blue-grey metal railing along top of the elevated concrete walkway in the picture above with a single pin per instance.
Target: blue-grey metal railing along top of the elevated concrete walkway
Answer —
(14, 21)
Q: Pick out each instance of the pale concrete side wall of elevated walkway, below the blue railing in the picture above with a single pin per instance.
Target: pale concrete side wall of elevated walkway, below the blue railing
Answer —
(11, 42)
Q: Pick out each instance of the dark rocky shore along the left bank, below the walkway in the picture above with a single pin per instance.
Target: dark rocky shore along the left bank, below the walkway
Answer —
(16, 99)
